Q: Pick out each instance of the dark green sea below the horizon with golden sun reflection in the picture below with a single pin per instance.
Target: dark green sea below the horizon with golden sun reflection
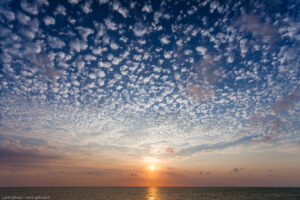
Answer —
(122, 193)
